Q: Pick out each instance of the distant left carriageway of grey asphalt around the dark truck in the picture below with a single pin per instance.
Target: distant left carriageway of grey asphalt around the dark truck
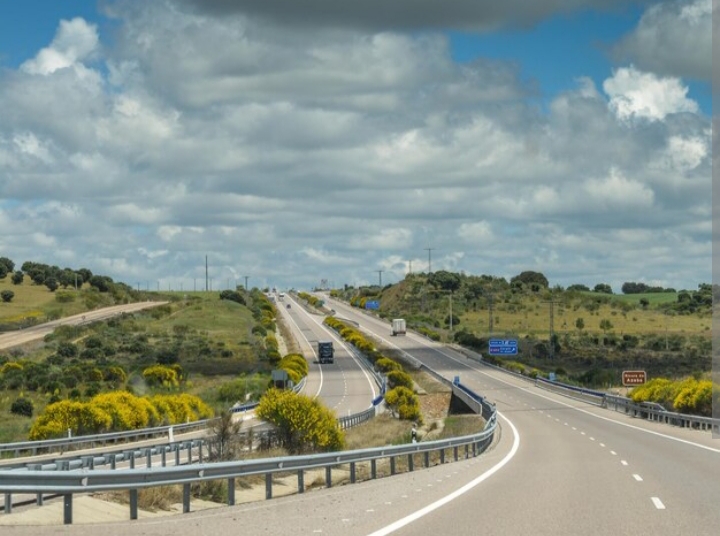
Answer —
(345, 386)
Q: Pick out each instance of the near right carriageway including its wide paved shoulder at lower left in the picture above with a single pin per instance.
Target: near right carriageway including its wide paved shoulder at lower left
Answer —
(559, 467)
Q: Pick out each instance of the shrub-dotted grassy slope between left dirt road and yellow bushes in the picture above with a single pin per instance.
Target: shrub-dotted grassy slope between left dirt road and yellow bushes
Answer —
(218, 345)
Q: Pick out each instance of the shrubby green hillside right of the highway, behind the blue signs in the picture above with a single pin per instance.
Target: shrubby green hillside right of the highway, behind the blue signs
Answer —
(594, 335)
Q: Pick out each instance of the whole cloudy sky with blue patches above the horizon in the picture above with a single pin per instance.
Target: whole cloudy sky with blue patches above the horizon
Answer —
(321, 142)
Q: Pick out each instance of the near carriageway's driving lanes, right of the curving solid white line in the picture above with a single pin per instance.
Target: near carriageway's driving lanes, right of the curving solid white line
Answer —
(579, 469)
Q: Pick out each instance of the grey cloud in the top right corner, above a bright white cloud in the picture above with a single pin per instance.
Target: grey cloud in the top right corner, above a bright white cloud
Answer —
(672, 39)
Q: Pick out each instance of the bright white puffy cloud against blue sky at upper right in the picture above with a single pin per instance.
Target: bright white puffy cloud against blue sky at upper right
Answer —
(635, 94)
